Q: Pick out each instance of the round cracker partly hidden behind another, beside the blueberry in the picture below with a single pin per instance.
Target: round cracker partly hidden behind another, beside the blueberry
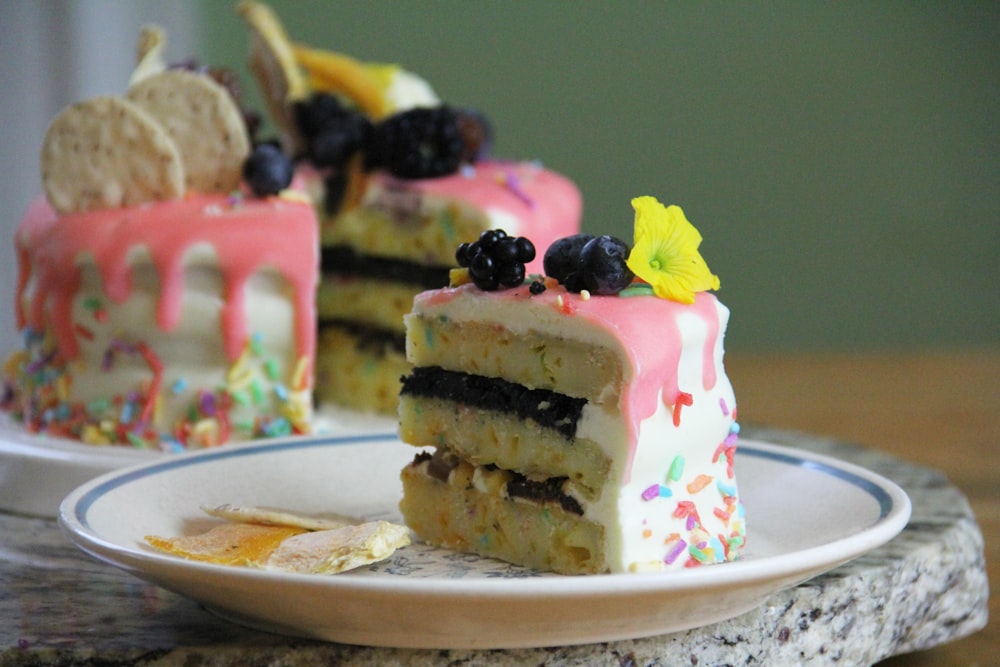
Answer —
(203, 121)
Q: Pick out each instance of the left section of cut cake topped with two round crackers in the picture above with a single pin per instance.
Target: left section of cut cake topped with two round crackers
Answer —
(163, 302)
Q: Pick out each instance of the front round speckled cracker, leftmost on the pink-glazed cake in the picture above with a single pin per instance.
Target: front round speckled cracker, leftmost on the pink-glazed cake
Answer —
(106, 152)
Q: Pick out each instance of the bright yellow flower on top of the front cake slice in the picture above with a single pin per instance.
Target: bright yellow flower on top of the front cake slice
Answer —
(665, 252)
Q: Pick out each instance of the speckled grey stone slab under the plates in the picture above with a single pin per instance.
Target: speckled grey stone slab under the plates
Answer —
(924, 588)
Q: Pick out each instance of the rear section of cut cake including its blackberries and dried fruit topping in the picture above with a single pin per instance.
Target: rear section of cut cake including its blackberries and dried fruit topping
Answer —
(400, 179)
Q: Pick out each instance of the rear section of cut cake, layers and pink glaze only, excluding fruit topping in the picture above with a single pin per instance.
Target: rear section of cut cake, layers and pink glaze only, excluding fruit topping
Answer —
(400, 240)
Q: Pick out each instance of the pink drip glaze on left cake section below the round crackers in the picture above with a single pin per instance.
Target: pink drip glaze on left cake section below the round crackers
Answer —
(246, 235)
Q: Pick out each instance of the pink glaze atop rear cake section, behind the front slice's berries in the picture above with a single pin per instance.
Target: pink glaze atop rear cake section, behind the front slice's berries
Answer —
(547, 204)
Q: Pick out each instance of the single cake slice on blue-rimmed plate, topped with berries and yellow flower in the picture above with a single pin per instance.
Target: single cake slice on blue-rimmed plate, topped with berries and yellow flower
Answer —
(581, 421)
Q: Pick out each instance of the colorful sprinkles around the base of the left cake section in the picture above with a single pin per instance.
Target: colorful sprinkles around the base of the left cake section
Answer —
(37, 384)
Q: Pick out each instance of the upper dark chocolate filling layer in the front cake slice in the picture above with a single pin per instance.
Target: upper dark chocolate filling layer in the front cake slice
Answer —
(548, 408)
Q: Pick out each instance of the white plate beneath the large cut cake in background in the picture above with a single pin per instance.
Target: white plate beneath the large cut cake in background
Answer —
(37, 471)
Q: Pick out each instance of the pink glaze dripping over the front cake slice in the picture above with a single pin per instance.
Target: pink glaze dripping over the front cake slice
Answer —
(648, 329)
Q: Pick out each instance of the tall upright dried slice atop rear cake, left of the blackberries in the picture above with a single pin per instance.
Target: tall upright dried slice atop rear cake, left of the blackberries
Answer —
(277, 73)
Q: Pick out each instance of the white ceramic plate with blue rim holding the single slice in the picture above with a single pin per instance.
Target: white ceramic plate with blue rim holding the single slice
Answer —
(806, 514)
